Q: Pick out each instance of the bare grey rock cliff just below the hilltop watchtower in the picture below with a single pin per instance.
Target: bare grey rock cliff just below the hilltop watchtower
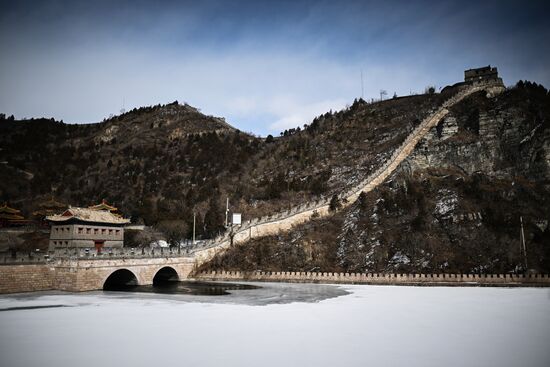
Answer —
(491, 136)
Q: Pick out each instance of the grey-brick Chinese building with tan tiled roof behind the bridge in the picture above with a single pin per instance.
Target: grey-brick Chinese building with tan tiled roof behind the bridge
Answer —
(86, 228)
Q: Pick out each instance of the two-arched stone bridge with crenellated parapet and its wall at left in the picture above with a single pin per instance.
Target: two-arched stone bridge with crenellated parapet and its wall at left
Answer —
(78, 270)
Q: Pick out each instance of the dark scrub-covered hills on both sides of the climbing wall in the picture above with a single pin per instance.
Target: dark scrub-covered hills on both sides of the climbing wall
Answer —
(453, 204)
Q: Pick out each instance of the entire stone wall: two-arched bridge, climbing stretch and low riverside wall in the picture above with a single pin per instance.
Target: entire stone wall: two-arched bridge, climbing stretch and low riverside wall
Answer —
(82, 270)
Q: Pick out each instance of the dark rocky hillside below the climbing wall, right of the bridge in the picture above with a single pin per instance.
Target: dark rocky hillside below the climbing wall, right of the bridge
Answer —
(454, 205)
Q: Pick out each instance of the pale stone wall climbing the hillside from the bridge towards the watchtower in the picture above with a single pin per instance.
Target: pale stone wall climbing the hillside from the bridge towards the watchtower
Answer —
(284, 221)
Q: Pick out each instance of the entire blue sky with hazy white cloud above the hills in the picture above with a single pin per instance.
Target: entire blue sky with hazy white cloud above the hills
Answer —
(265, 66)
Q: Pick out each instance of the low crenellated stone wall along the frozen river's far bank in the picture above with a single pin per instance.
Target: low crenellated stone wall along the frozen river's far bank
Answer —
(493, 280)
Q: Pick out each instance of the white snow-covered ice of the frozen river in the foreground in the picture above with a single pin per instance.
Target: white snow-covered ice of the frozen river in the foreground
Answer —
(280, 325)
